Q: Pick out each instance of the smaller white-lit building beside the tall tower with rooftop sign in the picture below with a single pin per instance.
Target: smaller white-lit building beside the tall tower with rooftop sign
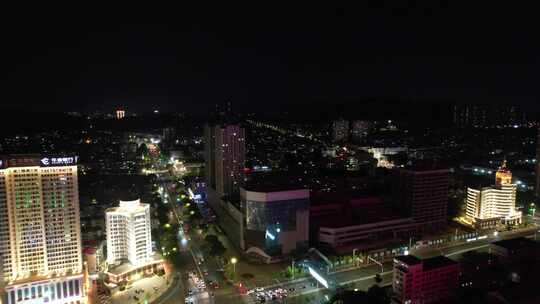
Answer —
(129, 233)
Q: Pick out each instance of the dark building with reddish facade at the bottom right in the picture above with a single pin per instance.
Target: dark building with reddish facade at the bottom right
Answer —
(432, 280)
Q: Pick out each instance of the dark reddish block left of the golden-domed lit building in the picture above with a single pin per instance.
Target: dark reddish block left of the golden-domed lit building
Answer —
(423, 194)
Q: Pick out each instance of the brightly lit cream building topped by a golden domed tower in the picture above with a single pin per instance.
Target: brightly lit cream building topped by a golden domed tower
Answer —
(490, 206)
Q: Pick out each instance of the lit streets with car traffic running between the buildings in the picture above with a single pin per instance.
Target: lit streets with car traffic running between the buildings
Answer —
(201, 271)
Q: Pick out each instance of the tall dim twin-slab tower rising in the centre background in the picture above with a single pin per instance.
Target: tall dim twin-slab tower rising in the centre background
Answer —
(225, 158)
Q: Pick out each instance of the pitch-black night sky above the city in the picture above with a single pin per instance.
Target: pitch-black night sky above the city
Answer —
(178, 58)
